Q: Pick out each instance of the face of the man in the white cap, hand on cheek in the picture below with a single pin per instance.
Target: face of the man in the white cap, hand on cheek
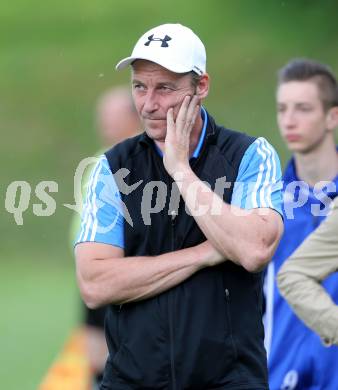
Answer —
(155, 90)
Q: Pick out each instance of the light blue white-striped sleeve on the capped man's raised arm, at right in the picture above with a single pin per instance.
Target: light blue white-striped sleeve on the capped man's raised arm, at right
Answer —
(259, 177)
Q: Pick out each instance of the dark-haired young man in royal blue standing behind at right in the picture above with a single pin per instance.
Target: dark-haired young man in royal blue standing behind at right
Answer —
(307, 106)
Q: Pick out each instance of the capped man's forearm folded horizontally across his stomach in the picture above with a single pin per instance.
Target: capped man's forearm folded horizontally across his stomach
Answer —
(125, 279)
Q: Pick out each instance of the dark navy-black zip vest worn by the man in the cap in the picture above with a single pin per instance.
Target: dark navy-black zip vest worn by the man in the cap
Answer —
(207, 332)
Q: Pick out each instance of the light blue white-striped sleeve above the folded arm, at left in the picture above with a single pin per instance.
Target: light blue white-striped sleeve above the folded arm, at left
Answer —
(102, 215)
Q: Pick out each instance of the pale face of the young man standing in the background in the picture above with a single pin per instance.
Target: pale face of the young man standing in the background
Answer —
(301, 116)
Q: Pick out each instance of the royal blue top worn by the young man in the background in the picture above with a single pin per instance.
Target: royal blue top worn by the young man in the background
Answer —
(296, 357)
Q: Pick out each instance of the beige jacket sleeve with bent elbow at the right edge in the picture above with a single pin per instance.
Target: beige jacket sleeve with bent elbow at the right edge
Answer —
(300, 276)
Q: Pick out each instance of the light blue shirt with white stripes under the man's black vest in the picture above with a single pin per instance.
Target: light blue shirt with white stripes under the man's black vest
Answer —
(258, 185)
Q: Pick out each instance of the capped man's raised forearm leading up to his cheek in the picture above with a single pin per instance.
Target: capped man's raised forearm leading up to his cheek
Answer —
(245, 238)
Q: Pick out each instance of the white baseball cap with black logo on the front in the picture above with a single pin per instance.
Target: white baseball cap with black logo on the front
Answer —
(173, 46)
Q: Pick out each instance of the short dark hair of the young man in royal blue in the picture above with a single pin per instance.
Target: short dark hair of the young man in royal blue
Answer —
(308, 70)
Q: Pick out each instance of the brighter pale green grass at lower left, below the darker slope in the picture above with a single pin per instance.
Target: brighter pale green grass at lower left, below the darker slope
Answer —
(39, 307)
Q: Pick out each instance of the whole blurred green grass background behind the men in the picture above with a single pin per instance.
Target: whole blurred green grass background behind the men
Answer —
(56, 58)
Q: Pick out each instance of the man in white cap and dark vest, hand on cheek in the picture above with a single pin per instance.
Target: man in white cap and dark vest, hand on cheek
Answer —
(178, 224)
